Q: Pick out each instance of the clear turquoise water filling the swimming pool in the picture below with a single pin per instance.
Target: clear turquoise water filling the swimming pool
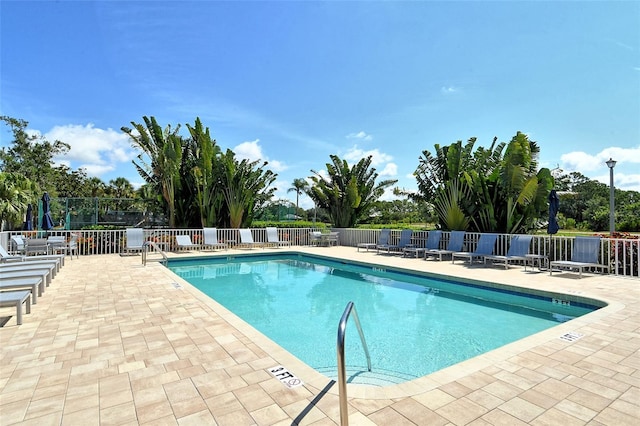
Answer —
(413, 324)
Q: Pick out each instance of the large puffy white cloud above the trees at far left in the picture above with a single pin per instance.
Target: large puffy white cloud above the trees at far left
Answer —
(96, 150)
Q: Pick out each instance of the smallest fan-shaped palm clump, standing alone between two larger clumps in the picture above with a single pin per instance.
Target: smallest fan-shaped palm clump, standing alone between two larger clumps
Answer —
(348, 193)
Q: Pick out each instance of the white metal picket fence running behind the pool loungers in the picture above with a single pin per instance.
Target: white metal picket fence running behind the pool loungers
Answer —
(622, 255)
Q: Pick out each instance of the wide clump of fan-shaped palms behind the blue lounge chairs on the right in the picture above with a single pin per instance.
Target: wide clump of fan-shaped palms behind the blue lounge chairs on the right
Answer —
(482, 190)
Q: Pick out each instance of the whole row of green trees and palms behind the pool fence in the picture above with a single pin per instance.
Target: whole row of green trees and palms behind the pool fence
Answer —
(195, 183)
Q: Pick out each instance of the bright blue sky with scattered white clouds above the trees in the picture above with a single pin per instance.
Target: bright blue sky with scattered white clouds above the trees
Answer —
(293, 82)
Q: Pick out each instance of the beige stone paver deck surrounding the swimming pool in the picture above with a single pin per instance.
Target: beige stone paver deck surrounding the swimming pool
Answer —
(115, 342)
